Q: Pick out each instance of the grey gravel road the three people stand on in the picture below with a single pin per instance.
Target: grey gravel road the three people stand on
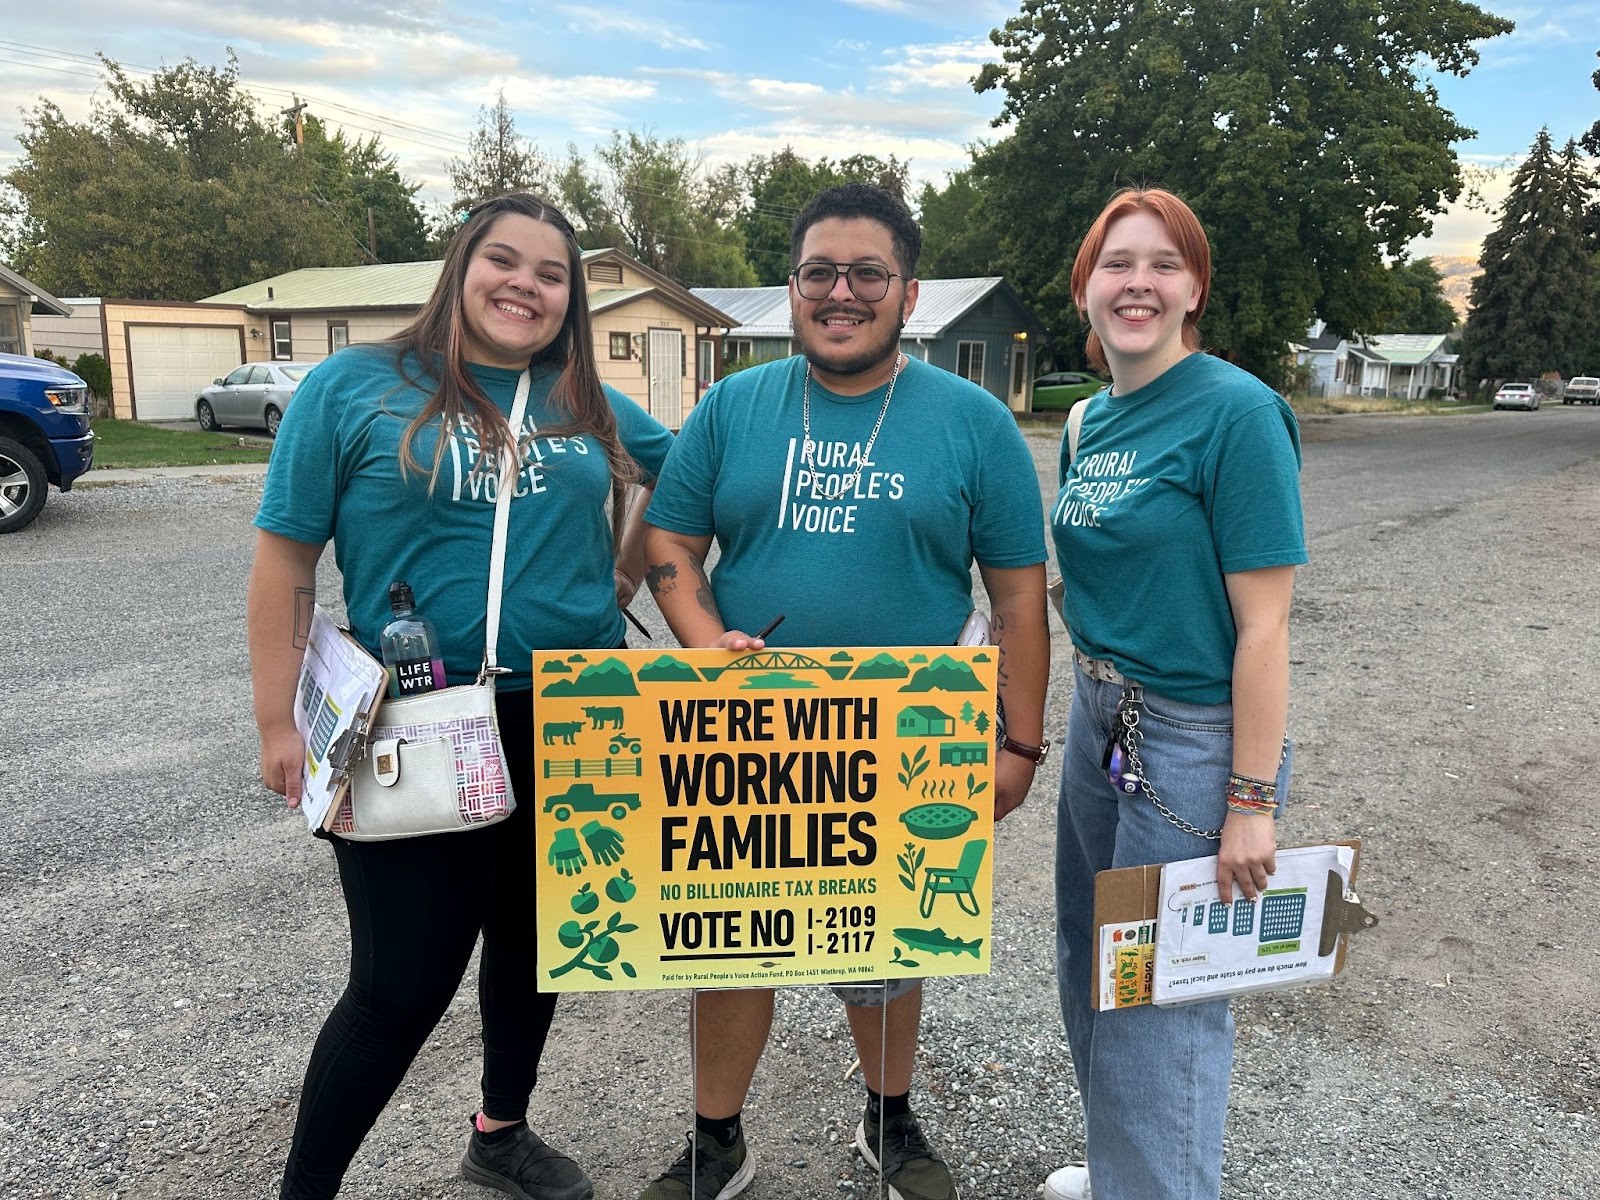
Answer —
(172, 938)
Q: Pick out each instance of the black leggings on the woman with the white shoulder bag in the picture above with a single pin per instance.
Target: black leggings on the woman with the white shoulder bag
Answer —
(417, 908)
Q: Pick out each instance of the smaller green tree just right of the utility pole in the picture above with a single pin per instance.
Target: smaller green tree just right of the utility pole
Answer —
(362, 178)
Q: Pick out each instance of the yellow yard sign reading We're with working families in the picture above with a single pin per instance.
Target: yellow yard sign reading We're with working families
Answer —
(786, 817)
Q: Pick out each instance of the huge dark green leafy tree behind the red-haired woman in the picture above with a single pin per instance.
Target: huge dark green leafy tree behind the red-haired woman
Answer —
(1302, 132)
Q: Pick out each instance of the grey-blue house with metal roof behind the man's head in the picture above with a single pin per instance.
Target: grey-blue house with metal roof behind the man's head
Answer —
(977, 329)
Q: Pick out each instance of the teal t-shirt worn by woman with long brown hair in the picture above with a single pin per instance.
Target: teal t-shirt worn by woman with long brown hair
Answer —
(337, 474)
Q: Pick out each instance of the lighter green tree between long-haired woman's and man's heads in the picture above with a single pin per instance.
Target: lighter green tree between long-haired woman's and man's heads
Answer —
(674, 217)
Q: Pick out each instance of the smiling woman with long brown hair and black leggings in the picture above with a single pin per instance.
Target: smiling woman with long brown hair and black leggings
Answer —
(394, 454)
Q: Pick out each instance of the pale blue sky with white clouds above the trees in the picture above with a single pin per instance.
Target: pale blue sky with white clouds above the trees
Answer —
(732, 79)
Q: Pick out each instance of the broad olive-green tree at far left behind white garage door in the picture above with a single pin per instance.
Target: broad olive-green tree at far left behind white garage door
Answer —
(175, 188)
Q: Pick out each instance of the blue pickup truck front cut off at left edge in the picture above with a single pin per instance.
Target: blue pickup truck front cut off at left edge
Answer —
(44, 436)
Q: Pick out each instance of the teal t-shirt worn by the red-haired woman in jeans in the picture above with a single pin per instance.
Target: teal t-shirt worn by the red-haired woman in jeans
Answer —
(1175, 486)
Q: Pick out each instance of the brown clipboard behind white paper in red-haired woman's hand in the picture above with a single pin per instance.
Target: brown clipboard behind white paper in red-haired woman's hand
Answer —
(1129, 911)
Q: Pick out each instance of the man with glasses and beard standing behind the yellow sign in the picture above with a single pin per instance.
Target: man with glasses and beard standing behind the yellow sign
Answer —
(850, 489)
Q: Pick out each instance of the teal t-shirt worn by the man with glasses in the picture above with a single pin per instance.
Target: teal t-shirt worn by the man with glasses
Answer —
(889, 564)
